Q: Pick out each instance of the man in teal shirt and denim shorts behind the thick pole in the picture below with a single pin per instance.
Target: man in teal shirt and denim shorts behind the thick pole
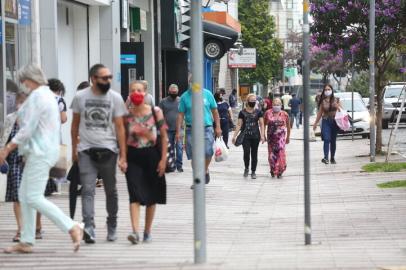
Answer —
(210, 114)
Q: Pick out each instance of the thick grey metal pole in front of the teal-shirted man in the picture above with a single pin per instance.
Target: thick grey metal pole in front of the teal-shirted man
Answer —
(198, 162)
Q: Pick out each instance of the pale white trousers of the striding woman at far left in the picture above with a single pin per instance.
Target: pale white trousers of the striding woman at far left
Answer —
(31, 196)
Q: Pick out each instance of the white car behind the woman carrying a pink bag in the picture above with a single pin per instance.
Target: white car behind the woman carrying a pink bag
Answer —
(361, 114)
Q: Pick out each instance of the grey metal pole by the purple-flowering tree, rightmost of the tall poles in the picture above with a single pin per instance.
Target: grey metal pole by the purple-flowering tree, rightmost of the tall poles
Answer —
(372, 78)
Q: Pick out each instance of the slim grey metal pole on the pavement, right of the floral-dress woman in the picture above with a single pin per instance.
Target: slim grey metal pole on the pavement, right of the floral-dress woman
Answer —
(306, 124)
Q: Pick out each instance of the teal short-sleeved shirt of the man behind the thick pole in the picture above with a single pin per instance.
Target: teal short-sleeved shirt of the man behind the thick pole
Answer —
(185, 106)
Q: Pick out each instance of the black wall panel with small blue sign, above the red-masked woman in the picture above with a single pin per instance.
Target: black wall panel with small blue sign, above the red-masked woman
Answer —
(132, 65)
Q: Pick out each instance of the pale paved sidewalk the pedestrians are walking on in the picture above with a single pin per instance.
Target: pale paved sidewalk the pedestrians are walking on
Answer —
(251, 224)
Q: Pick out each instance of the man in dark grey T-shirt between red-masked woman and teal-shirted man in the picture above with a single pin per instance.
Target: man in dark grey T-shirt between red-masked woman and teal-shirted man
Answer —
(170, 109)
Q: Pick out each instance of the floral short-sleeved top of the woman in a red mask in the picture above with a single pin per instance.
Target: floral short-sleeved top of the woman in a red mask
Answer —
(142, 131)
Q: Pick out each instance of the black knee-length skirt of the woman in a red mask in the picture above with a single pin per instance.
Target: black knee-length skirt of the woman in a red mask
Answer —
(143, 183)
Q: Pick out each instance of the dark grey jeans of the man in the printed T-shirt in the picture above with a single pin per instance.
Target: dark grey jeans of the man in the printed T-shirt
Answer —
(88, 173)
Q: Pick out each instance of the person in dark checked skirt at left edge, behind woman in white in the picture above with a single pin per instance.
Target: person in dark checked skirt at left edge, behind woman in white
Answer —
(15, 162)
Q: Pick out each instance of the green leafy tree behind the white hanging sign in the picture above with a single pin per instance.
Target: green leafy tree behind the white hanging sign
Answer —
(258, 31)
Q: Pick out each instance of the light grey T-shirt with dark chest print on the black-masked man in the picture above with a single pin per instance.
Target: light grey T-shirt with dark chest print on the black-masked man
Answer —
(97, 114)
